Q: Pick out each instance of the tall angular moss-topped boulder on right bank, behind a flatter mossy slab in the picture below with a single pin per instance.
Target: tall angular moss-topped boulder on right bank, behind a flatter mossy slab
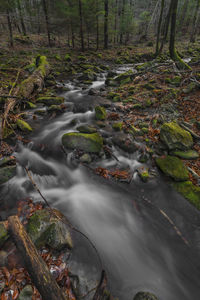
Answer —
(175, 137)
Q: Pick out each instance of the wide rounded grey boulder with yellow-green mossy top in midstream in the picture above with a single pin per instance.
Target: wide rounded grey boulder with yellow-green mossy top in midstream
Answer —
(91, 143)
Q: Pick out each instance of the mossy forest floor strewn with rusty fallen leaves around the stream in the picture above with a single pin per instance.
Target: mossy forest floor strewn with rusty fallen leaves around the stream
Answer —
(156, 94)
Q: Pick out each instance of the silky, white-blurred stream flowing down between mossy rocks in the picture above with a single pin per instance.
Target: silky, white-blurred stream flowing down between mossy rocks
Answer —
(139, 247)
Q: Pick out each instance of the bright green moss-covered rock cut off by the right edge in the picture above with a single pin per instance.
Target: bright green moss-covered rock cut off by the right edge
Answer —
(189, 191)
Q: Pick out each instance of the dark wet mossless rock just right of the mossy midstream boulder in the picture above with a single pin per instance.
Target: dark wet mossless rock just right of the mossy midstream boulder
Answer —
(125, 142)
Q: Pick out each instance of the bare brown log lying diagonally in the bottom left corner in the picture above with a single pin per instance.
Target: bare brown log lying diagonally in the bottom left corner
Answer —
(37, 268)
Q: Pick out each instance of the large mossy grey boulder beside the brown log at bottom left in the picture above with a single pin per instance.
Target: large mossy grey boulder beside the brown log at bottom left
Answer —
(45, 229)
